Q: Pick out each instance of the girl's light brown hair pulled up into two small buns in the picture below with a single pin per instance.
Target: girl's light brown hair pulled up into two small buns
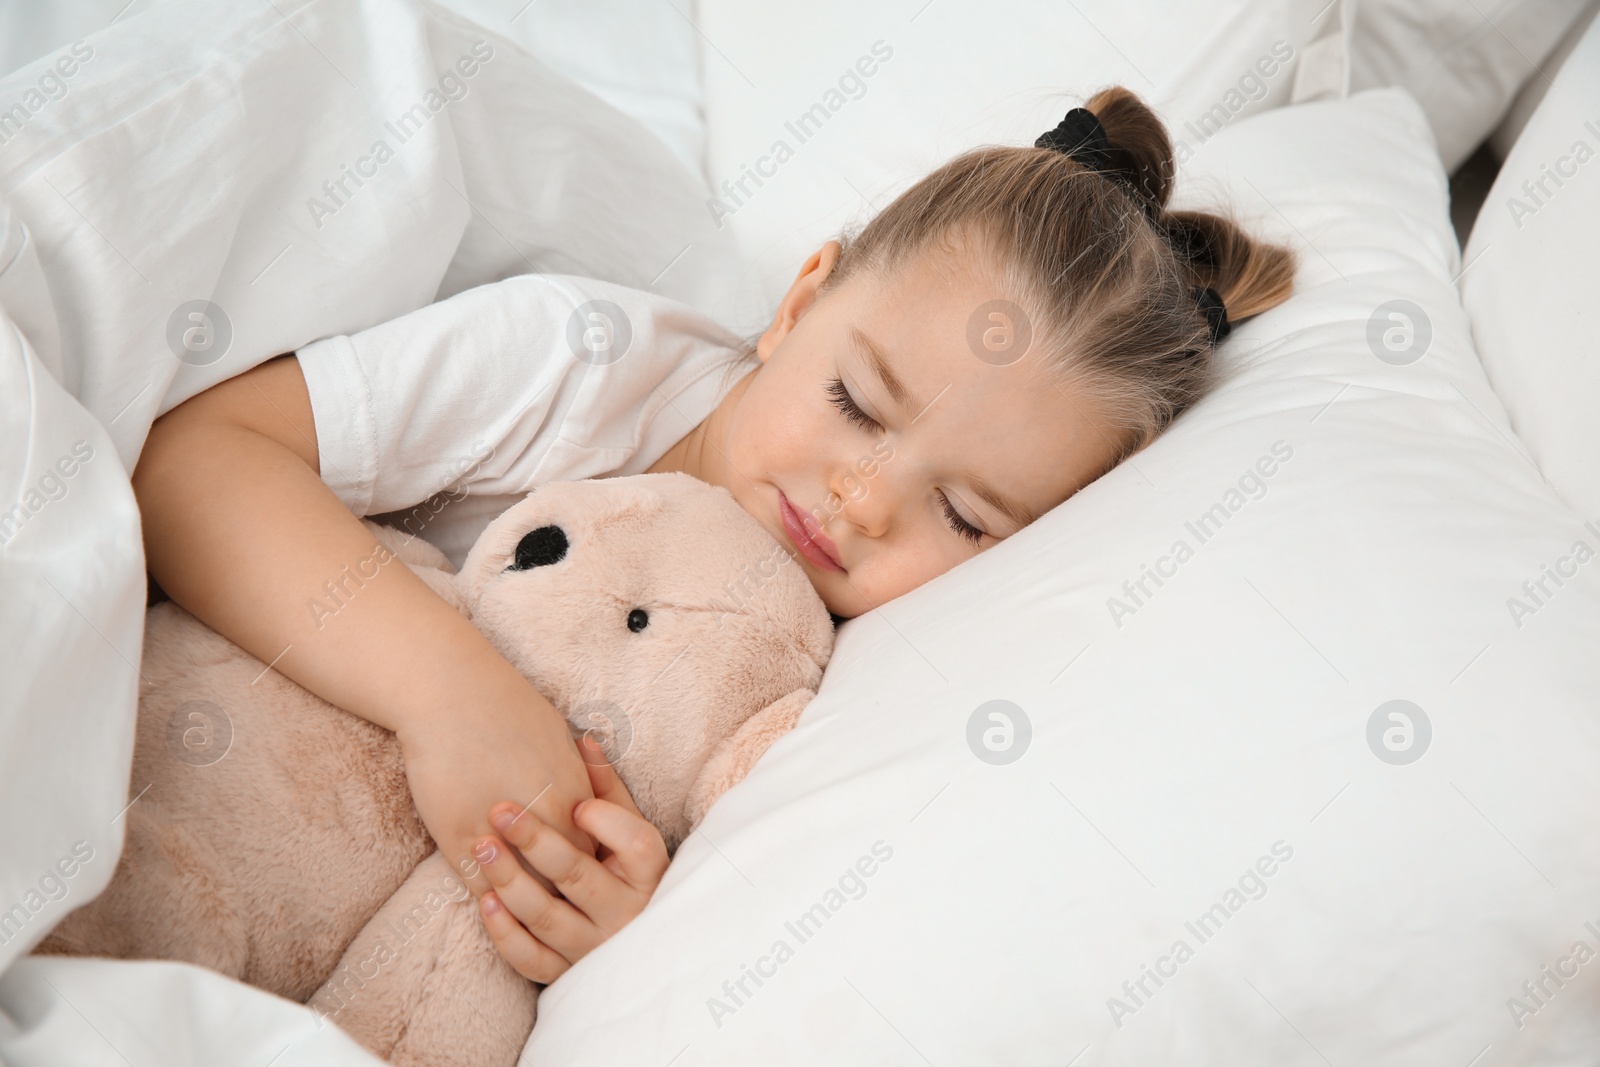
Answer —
(1092, 257)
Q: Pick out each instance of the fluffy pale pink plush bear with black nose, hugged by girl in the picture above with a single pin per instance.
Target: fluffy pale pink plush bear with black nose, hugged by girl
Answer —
(273, 836)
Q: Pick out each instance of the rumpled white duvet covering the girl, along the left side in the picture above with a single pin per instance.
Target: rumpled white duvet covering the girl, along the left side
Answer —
(308, 169)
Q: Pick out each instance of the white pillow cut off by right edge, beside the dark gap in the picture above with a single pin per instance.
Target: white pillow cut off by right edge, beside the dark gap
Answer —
(1534, 274)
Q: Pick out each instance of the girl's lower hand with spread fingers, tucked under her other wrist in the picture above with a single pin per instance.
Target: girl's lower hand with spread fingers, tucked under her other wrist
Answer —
(543, 935)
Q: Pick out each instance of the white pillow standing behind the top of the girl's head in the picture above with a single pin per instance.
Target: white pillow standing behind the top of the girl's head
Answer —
(897, 92)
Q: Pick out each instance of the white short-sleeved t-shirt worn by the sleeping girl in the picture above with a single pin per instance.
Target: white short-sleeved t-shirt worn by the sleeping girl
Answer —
(457, 410)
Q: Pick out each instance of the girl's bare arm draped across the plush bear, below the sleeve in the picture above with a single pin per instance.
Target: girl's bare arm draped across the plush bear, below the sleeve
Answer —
(241, 532)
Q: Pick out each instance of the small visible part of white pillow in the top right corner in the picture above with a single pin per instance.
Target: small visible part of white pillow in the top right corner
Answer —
(1463, 62)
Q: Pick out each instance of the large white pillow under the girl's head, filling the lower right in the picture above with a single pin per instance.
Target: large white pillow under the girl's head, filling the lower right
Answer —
(1217, 745)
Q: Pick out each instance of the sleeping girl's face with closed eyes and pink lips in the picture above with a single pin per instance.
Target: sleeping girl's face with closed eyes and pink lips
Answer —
(897, 486)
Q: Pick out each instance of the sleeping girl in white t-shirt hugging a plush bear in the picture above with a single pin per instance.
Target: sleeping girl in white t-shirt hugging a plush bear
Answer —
(1004, 334)
